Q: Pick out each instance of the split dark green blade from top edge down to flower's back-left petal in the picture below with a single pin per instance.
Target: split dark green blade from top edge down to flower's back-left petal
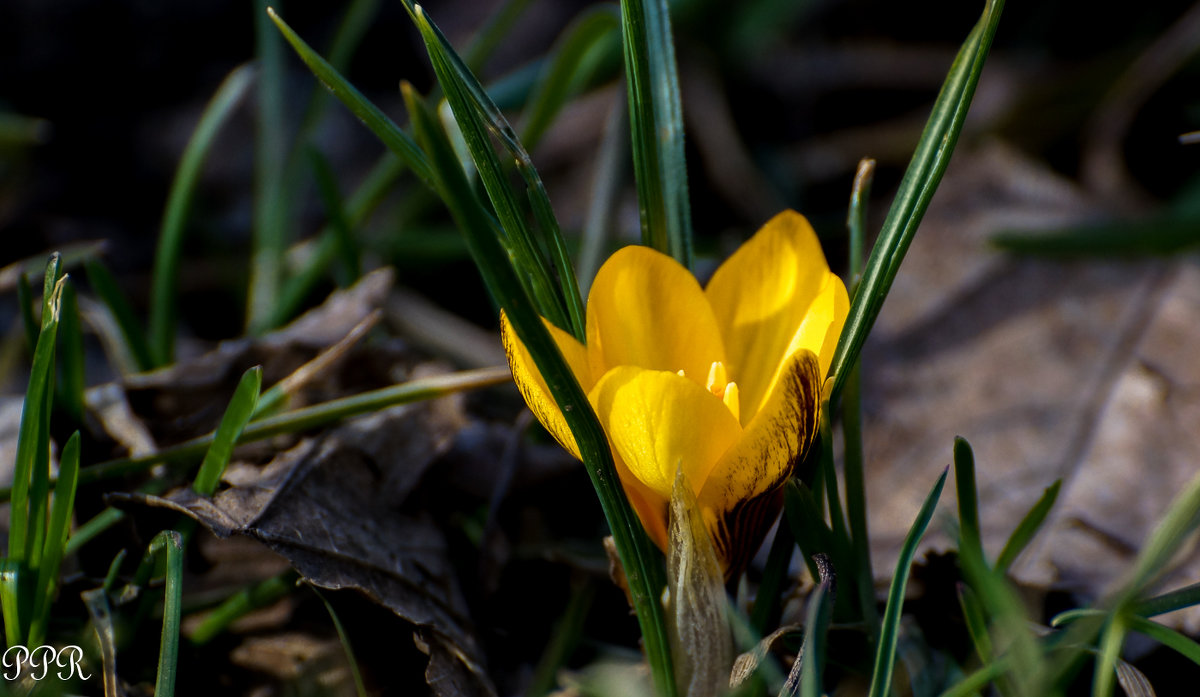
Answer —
(478, 117)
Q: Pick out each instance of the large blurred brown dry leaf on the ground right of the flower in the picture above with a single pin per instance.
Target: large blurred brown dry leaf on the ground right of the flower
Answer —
(1051, 369)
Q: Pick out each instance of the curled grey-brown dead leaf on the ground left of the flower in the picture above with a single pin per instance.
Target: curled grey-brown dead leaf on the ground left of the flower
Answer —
(332, 507)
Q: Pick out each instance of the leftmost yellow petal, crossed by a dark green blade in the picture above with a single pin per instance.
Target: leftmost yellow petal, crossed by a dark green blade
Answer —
(532, 386)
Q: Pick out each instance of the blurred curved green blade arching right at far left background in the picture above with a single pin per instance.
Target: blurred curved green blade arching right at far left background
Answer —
(175, 219)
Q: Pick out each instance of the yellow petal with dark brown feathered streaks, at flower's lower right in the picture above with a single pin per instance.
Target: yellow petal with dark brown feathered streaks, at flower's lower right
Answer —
(741, 494)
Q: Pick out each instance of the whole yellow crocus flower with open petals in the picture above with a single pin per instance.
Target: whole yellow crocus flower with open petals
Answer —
(723, 383)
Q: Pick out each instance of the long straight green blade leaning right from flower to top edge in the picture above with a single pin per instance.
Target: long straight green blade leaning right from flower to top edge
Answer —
(916, 190)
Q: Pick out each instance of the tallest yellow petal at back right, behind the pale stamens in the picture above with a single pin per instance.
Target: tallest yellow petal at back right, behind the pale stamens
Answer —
(760, 297)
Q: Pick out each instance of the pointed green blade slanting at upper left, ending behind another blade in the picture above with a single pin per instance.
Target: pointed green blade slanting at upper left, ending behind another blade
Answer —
(385, 129)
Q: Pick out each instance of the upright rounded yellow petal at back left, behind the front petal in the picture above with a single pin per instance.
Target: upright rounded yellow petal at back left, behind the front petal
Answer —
(646, 310)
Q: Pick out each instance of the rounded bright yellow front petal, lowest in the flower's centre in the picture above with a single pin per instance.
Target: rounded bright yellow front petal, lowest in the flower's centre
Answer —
(658, 422)
